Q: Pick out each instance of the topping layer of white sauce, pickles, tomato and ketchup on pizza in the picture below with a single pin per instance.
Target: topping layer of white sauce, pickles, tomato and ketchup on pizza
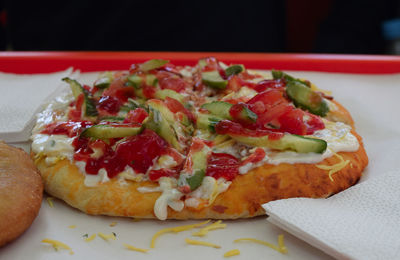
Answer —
(192, 130)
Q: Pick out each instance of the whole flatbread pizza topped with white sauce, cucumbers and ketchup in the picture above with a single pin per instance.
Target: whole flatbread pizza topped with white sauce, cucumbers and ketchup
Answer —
(189, 142)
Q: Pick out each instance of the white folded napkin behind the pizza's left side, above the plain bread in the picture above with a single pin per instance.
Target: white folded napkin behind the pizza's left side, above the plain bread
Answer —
(22, 96)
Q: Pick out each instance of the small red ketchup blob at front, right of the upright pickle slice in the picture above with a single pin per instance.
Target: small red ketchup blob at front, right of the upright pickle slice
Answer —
(222, 165)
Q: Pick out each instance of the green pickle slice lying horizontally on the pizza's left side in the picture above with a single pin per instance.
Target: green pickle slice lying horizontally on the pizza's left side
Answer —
(108, 131)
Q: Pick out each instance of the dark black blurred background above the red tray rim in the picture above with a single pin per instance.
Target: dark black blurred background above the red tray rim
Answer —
(300, 26)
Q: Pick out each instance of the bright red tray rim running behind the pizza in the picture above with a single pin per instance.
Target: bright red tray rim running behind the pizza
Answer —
(44, 62)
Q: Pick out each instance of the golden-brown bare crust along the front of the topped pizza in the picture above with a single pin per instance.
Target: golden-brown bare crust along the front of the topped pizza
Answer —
(243, 199)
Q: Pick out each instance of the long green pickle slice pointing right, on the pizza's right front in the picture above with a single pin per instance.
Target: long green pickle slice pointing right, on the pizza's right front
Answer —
(290, 142)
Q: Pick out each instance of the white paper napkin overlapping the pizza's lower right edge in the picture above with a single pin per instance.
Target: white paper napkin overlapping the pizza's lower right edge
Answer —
(362, 222)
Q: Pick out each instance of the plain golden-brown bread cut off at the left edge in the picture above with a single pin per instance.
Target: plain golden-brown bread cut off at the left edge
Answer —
(21, 190)
